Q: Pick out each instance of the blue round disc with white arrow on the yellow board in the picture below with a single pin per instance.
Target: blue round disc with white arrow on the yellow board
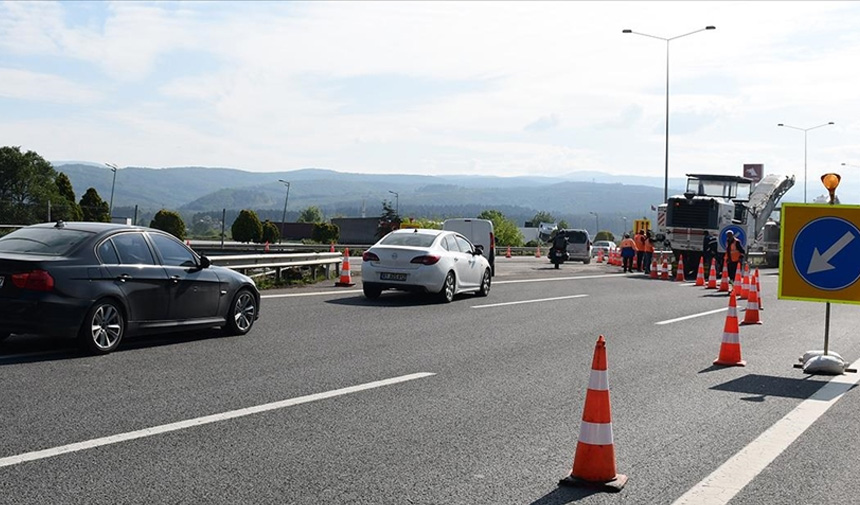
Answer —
(825, 253)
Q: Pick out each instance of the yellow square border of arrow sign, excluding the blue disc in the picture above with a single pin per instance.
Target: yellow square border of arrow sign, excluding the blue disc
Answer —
(792, 286)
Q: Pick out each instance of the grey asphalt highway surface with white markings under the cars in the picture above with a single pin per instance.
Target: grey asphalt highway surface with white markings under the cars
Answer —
(495, 420)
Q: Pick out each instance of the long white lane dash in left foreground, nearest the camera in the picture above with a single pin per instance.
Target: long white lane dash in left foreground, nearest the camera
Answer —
(199, 421)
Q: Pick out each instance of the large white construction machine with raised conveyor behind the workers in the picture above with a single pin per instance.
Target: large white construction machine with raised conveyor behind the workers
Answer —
(717, 204)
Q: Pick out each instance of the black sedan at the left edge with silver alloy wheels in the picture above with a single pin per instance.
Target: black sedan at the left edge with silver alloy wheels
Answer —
(101, 281)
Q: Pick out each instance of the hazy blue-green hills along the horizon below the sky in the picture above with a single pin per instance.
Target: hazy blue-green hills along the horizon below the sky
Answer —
(191, 190)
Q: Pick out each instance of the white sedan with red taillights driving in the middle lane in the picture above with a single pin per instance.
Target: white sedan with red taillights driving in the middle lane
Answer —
(441, 262)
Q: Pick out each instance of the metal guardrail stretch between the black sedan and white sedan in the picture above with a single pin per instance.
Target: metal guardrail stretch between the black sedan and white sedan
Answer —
(276, 263)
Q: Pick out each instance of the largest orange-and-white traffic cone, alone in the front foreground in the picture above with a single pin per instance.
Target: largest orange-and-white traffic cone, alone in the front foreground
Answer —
(594, 460)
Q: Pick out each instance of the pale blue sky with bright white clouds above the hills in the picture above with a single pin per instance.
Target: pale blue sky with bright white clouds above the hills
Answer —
(436, 88)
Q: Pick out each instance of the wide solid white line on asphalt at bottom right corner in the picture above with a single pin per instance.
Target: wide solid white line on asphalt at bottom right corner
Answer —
(732, 476)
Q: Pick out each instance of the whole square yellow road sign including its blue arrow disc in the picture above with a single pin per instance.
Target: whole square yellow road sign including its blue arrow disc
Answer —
(820, 253)
